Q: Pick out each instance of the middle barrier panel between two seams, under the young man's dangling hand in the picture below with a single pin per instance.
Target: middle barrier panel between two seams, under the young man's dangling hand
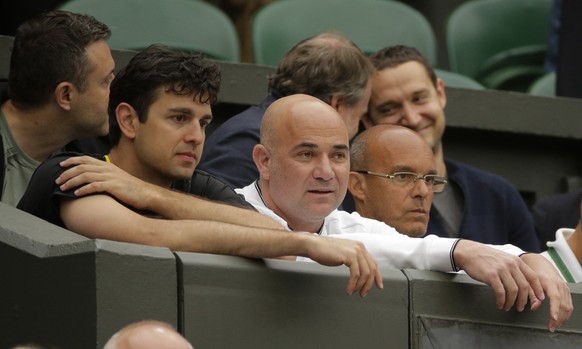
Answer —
(231, 302)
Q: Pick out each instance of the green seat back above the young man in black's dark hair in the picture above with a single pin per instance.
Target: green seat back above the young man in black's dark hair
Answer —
(182, 24)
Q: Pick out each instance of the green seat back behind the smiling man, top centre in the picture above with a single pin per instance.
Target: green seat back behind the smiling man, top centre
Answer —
(371, 24)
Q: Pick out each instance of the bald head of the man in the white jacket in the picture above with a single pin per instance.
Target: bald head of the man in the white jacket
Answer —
(303, 160)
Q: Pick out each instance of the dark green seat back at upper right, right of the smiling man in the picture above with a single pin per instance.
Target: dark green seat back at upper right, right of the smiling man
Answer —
(499, 42)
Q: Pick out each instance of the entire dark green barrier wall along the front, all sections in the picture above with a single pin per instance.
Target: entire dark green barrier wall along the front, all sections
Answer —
(59, 288)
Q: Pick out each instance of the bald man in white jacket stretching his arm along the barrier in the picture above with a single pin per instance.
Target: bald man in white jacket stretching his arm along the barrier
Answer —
(304, 166)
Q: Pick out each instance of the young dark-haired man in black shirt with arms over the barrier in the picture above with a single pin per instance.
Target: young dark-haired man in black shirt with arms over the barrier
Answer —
(160, 106)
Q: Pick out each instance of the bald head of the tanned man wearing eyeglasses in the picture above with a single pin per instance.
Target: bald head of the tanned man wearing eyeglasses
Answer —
(384, 150)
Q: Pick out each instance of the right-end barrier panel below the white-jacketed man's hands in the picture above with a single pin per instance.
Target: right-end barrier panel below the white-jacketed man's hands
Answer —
(454, 311)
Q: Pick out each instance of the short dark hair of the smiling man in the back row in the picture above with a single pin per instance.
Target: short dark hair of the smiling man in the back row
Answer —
(393, 56)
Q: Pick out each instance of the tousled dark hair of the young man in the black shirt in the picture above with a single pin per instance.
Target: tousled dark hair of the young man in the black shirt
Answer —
(153, 68)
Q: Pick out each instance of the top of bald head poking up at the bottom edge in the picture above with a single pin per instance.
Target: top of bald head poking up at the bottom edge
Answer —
(148, 335)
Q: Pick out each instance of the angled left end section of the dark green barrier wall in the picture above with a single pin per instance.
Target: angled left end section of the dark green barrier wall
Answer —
(59, 288)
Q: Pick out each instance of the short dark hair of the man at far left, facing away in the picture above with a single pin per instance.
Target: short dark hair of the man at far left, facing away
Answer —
(48, 50)
